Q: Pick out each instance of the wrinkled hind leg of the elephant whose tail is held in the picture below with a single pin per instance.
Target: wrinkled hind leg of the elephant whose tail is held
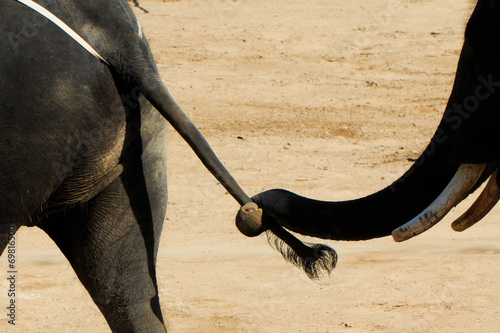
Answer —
(112, 247)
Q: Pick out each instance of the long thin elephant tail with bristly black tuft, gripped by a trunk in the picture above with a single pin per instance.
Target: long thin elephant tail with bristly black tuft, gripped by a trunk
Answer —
(136, 66)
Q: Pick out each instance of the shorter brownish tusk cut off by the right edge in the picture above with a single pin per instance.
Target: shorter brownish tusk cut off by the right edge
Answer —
(483, 204)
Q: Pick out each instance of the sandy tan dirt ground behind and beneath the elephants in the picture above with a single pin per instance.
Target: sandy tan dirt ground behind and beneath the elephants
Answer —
(328, 99)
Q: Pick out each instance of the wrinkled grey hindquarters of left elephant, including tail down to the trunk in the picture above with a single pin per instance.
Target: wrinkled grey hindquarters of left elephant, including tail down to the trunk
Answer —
(83, 152)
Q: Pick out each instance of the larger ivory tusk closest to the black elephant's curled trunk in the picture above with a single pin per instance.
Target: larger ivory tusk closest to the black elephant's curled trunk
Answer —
(457, 189)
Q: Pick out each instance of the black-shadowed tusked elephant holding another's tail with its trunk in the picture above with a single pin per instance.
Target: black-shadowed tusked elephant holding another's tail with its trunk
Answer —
(461, 155)
